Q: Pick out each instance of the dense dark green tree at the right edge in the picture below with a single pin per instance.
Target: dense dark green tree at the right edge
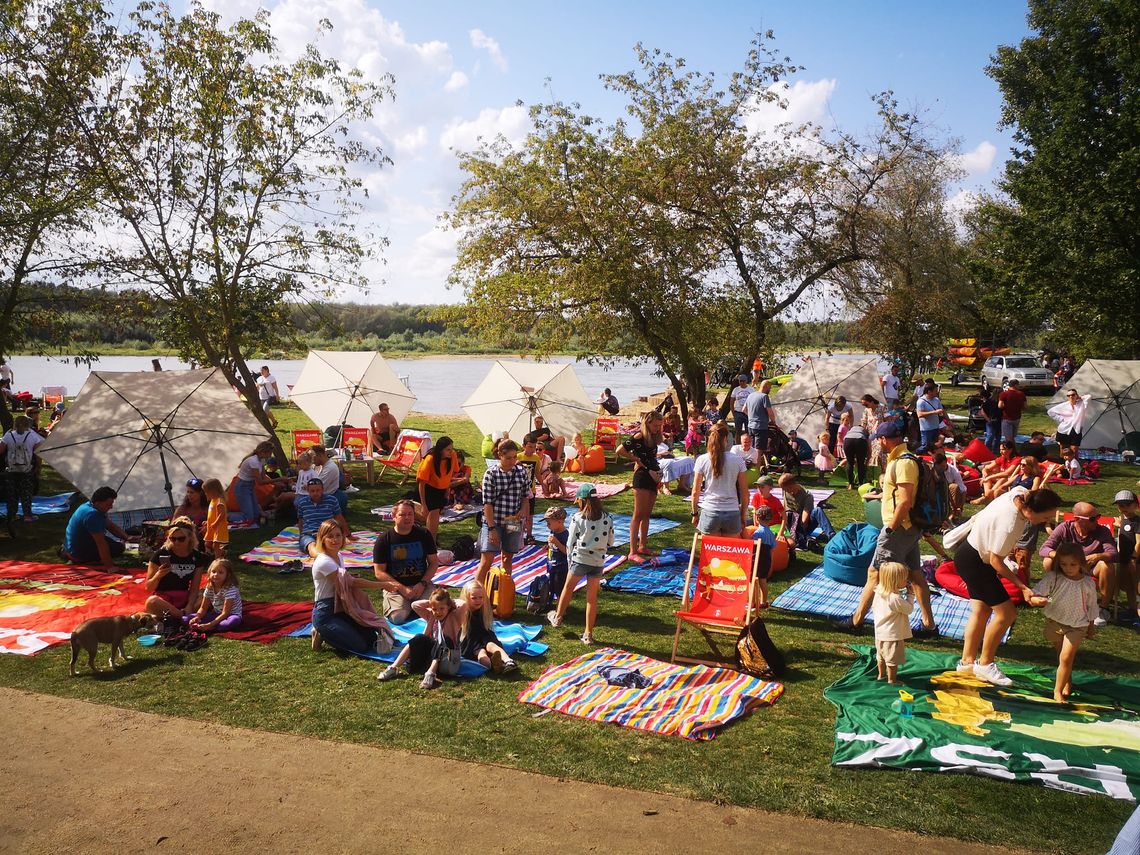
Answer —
(1072, 96)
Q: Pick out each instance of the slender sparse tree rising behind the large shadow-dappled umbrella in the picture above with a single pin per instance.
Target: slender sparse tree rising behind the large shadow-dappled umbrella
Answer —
(231, 180)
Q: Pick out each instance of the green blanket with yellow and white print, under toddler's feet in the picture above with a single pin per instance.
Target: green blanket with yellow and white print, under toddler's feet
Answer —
(963, 724)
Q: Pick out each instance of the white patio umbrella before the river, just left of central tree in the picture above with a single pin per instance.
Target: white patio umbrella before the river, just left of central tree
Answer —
(514, 394)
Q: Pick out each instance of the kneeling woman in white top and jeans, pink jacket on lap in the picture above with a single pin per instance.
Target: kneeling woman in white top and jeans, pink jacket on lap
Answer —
(343, 613)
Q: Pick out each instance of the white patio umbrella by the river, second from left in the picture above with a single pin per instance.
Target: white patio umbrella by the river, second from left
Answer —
(338, 388)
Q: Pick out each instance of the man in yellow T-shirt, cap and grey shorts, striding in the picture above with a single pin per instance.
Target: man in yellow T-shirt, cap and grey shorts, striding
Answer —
(899, 540)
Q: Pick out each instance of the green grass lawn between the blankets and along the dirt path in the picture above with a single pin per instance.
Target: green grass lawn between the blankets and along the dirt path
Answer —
(778, 759)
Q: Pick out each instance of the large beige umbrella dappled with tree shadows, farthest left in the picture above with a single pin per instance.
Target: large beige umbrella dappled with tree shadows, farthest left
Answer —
(146, 433)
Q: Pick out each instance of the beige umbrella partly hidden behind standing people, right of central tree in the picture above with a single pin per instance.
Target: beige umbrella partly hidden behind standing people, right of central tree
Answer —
(802, 403)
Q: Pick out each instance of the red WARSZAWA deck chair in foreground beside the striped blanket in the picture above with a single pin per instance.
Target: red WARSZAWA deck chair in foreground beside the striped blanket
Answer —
(724, 601)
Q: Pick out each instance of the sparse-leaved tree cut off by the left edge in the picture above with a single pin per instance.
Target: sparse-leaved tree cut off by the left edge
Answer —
(53, 53)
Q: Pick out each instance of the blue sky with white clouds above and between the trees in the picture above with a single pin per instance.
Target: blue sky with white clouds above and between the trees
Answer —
(461, 70)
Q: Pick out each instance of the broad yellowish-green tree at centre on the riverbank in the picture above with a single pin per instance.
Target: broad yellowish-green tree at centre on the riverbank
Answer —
(677, 235)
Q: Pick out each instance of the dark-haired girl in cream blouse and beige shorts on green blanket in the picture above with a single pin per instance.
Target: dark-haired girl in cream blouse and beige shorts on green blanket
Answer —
(1071, 600)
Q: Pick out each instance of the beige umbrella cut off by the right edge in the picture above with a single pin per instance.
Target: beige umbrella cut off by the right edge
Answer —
(1112, 419)
